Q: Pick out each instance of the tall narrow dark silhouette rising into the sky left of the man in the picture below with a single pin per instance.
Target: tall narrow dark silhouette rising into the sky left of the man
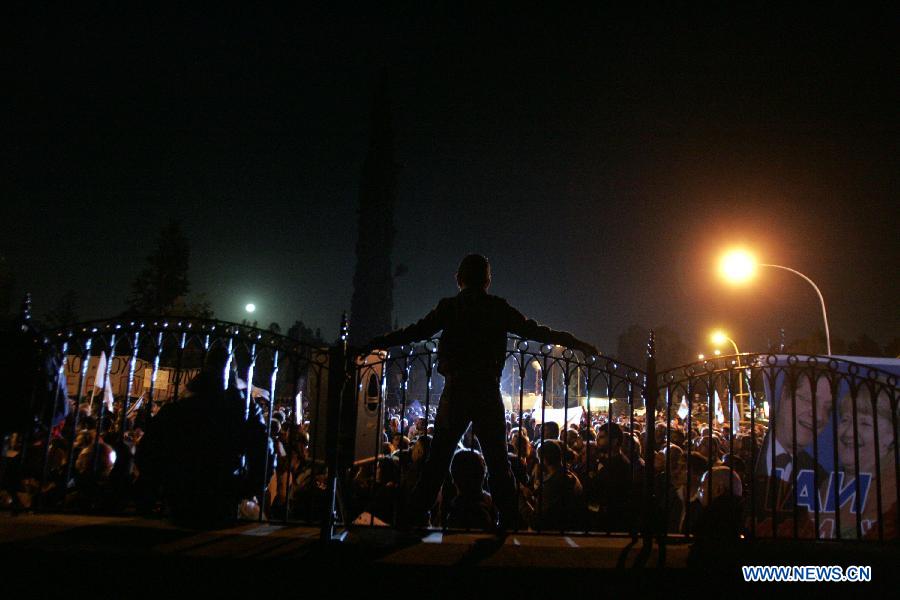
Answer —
(373, 283)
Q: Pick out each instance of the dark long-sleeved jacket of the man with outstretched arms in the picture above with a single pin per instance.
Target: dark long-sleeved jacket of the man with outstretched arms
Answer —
(475, 325)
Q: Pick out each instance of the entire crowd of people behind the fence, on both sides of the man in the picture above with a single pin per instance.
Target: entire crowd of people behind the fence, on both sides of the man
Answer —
(172, 460)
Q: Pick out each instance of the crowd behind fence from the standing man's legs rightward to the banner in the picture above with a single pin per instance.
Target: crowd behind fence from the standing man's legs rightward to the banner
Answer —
(587, 477)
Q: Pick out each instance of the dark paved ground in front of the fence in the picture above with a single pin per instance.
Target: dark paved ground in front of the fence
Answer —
(59, 553)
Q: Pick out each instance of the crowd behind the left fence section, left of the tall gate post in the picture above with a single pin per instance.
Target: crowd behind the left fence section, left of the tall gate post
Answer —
(200, 460)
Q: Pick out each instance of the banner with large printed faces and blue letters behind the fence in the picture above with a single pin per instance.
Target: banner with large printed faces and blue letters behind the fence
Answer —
(827, 464)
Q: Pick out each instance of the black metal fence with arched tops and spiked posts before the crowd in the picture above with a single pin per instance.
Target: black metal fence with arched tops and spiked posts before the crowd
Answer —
(177, 416)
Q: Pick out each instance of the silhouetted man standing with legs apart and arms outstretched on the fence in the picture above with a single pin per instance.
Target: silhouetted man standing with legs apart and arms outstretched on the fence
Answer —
(471, 356)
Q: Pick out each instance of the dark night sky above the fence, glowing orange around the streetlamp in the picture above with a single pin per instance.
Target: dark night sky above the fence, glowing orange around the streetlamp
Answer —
(601, 161)
